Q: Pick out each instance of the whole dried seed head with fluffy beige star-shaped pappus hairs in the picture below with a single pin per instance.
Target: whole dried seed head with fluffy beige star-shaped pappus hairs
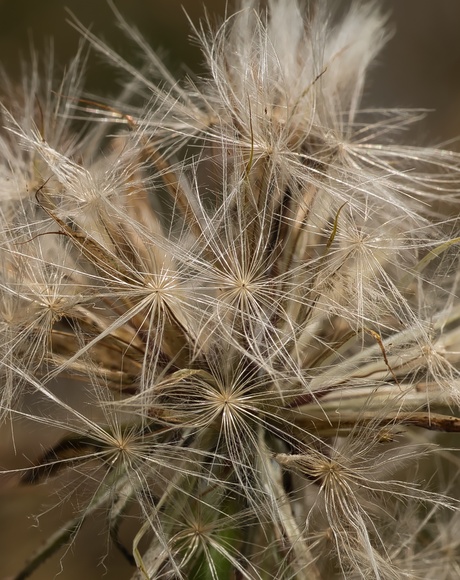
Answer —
(233, 301)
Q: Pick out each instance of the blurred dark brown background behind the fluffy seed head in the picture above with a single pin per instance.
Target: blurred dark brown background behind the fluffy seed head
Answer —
(420, 67)
